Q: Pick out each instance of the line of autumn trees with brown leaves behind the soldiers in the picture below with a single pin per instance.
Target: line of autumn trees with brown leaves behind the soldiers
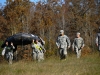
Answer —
(46, 17)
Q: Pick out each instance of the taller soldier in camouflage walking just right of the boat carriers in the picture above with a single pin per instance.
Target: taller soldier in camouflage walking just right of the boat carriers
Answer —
(63, 43)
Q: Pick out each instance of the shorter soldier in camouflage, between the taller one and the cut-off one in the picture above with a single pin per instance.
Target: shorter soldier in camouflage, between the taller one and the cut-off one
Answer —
(78, 45)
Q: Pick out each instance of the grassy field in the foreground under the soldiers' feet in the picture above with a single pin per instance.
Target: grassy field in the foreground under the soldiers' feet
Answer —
(86, 65)
